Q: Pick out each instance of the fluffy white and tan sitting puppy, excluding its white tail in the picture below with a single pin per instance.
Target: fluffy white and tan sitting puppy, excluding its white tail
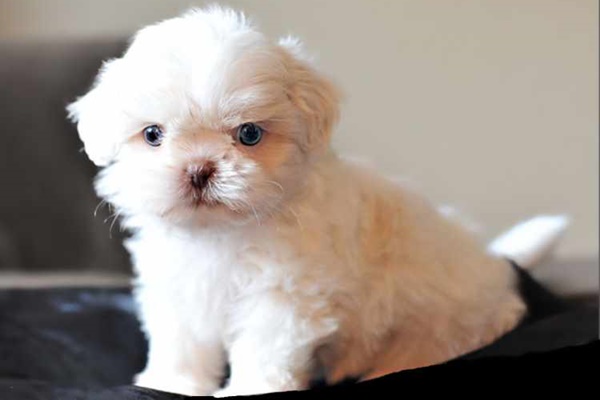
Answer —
(253, 243)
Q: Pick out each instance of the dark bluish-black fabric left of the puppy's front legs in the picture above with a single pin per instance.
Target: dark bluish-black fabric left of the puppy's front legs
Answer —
(71, 337)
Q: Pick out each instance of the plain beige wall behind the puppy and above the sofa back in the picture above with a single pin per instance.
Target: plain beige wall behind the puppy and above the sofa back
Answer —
(489, 105)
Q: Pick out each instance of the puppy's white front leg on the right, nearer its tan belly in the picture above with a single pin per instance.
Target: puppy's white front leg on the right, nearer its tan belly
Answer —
(274, 345)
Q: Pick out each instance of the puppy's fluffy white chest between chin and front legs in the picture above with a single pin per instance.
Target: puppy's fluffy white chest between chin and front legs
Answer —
(206, 275)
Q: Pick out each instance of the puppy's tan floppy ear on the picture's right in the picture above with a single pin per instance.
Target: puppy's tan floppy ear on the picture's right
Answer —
(317, 98)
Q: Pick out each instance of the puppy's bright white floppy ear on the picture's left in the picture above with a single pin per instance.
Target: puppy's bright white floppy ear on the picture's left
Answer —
(98, 117)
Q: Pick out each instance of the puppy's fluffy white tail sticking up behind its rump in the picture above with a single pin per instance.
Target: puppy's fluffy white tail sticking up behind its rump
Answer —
(529, 242)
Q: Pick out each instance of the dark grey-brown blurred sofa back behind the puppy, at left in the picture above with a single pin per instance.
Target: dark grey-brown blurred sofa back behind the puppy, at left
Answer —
(47, 199)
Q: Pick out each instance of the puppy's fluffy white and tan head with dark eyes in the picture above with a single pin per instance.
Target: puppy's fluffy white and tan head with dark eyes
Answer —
(205, 119)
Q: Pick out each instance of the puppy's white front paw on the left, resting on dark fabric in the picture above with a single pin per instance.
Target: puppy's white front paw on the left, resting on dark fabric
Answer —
(175, 384)
